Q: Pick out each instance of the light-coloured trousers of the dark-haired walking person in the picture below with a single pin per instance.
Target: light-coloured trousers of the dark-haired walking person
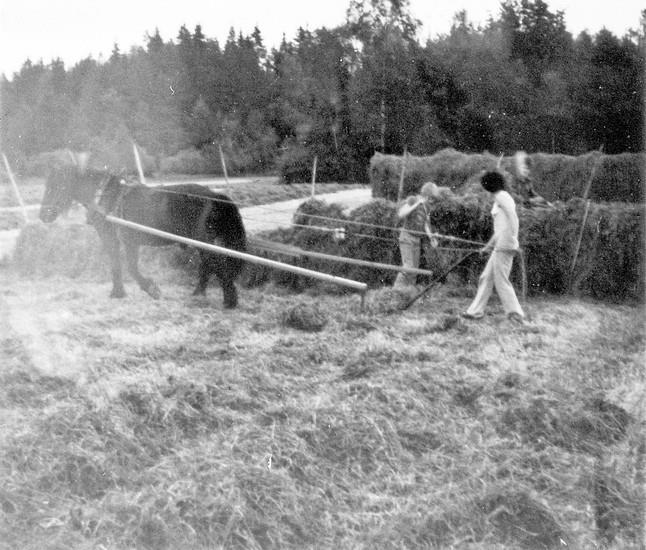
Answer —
(496, 274)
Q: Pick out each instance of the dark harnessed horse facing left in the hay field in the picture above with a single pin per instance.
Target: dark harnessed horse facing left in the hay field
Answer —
(188, 210)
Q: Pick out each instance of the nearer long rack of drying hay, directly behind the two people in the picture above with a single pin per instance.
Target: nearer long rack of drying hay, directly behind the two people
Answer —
(610, 263)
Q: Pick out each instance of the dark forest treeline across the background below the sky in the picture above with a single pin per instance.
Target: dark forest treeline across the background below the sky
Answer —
(521, 81)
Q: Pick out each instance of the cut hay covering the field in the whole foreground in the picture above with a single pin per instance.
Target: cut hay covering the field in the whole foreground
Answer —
(308, 421)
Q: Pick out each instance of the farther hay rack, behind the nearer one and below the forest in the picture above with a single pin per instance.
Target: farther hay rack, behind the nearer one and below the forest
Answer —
(555, 177)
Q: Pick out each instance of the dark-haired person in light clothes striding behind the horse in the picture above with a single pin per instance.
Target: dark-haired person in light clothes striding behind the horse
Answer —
(503, 246)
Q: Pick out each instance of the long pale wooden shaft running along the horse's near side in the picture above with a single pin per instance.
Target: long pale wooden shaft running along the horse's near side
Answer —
(356, 285)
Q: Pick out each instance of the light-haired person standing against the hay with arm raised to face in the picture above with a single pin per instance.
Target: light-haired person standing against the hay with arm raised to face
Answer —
(413, 214)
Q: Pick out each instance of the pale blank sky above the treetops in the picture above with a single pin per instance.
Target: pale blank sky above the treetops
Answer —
(73, 30)
